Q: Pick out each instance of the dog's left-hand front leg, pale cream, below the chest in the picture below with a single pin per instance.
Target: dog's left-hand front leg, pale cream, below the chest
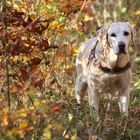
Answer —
(93, 99)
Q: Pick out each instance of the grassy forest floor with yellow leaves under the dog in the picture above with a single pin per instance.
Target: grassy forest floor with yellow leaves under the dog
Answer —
(56, 117)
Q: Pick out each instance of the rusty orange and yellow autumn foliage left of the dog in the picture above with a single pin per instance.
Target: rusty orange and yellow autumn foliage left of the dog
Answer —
(29, 51)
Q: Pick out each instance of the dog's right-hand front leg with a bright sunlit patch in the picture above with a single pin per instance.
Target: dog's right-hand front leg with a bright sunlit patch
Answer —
(124, 96)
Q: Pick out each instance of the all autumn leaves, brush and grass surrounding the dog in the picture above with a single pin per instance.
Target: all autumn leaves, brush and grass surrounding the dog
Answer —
(38, 45)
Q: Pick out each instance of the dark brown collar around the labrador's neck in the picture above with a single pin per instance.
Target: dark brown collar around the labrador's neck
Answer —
(115, 70)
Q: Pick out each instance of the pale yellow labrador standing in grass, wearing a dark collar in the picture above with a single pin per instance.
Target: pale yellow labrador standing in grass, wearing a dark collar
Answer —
(103, 65)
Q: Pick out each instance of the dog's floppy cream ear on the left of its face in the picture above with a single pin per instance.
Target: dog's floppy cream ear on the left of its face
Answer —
(102, 34)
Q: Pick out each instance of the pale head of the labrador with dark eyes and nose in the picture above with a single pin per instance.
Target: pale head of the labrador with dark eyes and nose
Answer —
(116, 37)
